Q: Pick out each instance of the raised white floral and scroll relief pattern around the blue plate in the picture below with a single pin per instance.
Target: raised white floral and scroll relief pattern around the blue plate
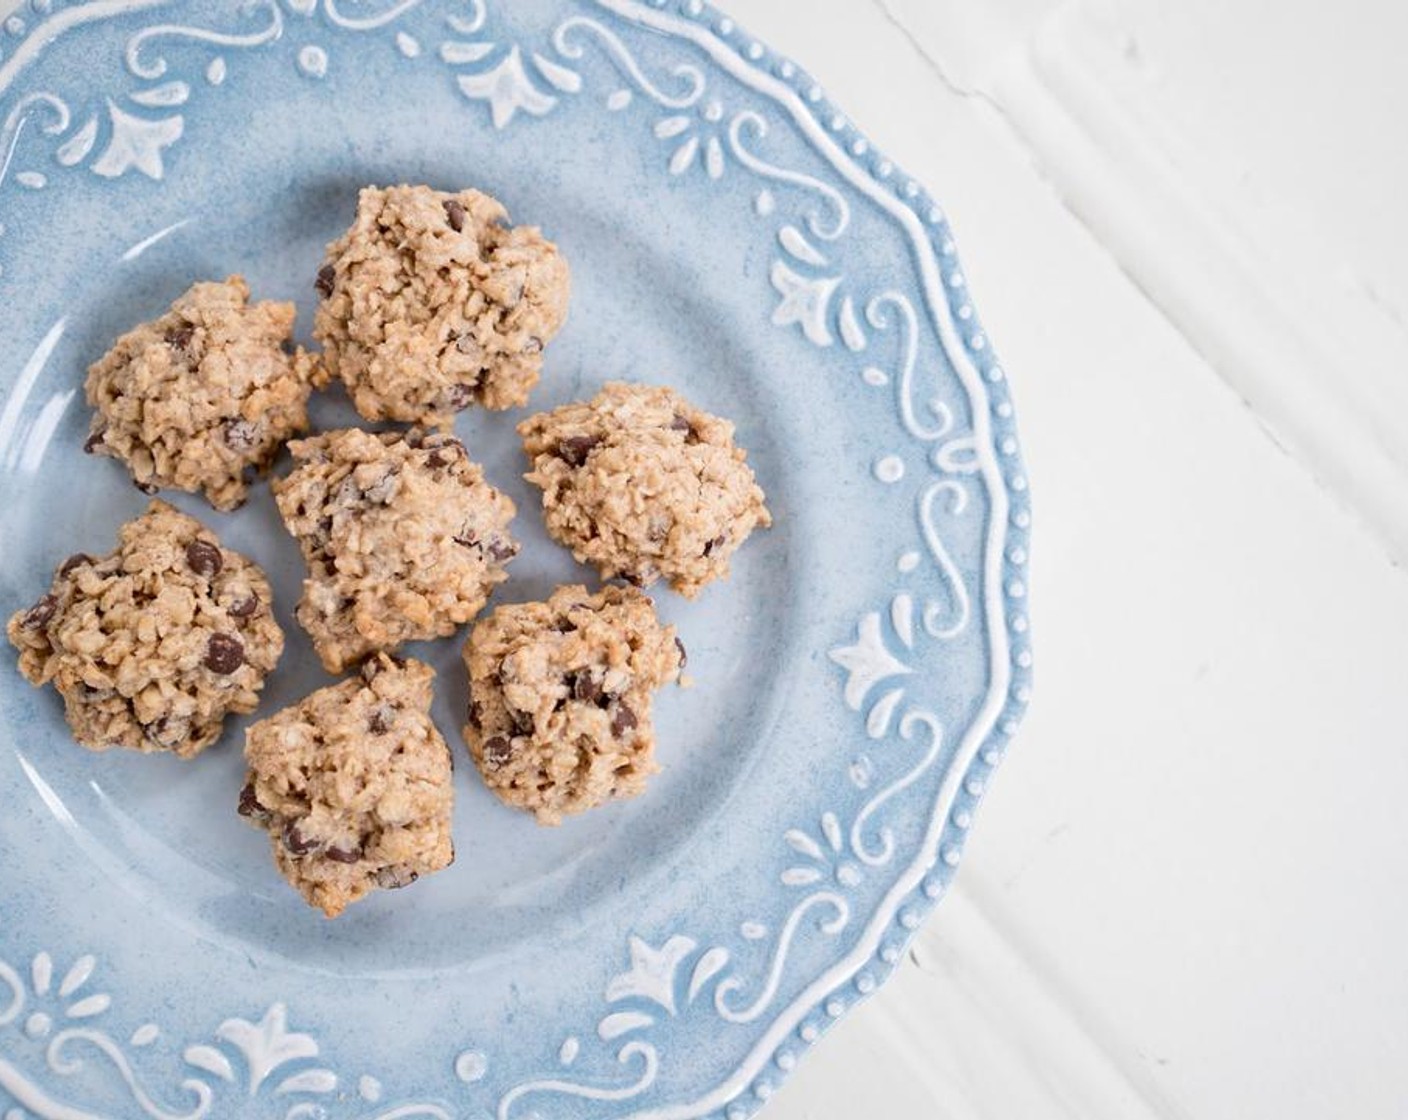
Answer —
(823, 864)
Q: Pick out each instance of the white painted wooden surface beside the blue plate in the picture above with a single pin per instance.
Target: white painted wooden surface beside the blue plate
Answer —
(1185, 230)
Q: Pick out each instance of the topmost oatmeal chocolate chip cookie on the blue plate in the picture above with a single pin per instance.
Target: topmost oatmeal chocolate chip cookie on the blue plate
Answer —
(432, 304)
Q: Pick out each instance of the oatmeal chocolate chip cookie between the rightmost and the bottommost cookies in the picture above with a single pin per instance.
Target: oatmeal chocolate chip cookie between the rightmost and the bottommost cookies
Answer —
(561, 712)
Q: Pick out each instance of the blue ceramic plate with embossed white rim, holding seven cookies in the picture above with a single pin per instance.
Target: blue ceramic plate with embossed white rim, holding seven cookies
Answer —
(858, 677)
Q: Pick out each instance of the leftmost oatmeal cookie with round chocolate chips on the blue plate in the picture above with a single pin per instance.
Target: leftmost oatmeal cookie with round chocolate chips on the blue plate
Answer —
(154, 645)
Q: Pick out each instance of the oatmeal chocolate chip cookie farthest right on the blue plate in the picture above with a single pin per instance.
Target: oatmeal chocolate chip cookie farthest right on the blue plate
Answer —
(643, 485)
